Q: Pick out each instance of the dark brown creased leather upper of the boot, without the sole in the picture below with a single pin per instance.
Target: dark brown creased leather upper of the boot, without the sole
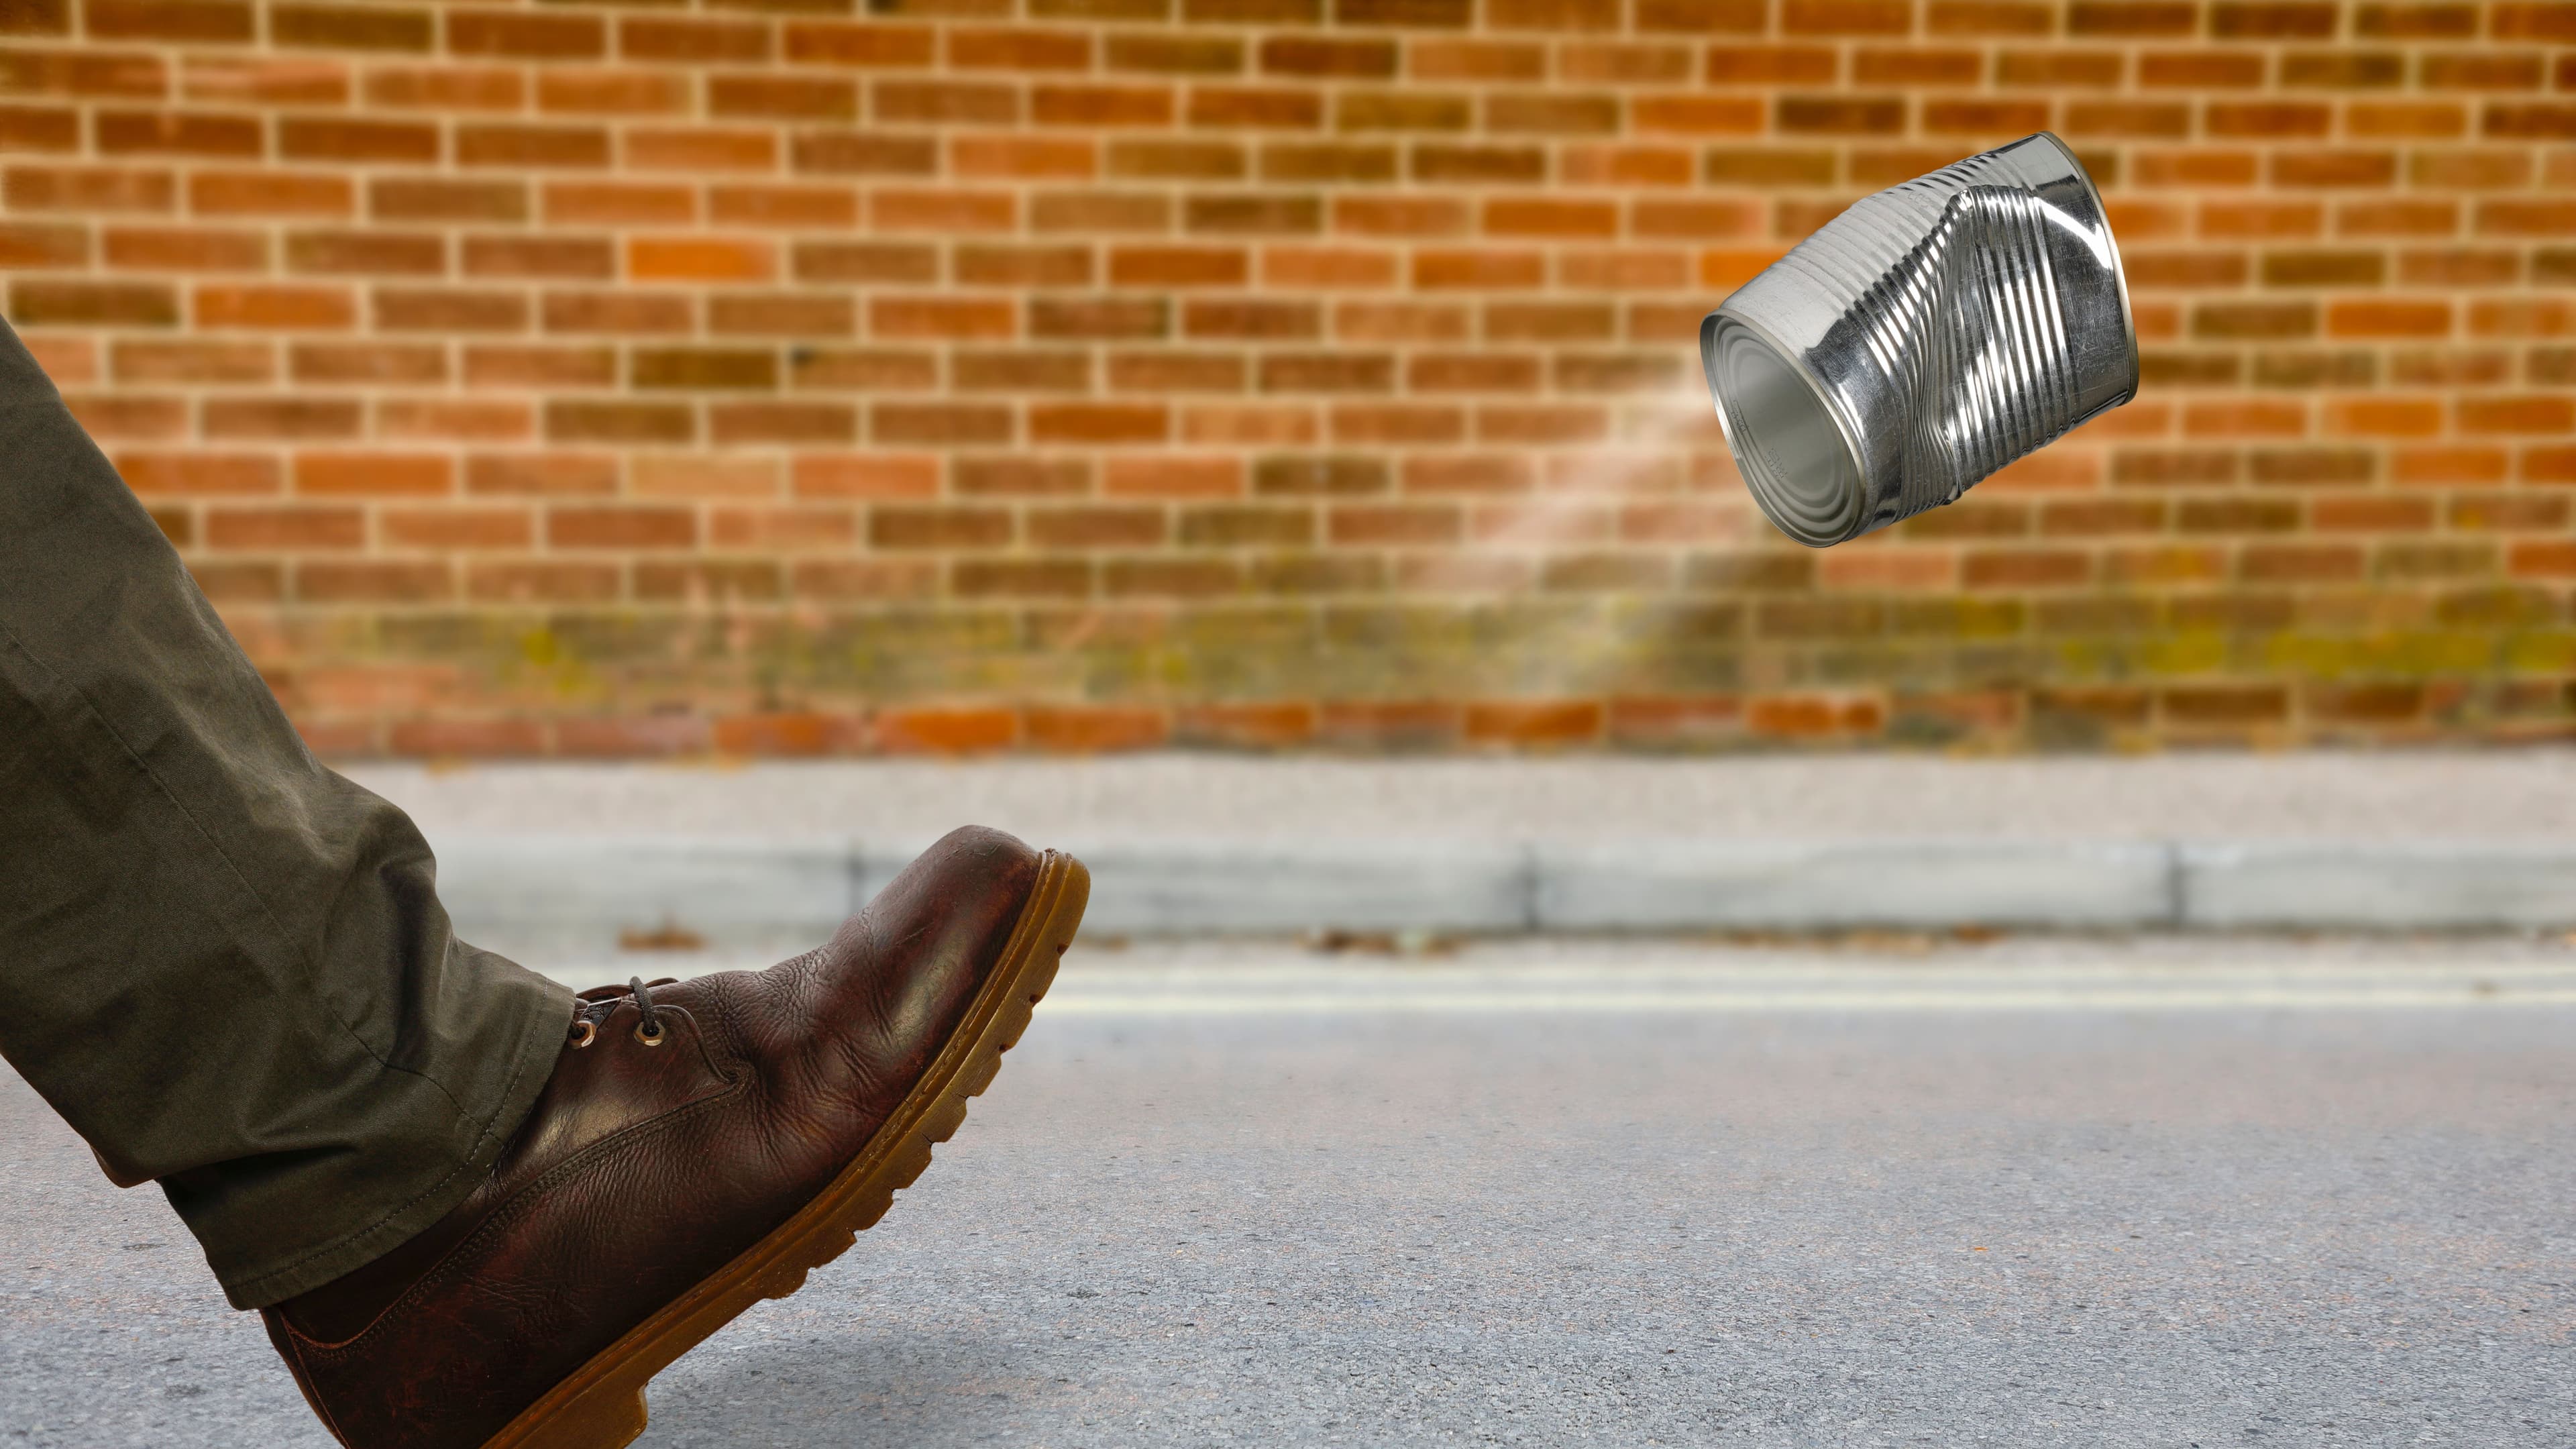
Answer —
(645, 1169)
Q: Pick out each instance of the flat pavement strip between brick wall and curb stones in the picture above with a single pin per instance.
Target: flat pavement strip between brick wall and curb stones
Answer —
(2389, 795)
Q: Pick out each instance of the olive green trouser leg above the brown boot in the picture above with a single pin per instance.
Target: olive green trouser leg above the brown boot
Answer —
(223, 963)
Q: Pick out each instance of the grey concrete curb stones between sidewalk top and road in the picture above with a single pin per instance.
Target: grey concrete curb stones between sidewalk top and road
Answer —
(583, 891)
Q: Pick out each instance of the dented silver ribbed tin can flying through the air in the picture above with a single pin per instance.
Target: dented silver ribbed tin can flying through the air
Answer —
(1920, 342)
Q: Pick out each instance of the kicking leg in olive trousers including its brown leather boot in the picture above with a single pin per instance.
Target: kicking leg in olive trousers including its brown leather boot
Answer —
(470, 1211)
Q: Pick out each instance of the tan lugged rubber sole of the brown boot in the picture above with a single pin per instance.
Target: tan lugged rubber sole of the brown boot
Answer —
(601, 1406)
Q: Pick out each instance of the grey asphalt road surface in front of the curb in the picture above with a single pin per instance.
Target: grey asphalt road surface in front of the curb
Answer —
(1601, 1195)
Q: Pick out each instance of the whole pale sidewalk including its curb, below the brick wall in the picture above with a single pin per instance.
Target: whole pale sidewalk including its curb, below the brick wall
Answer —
(573, 857)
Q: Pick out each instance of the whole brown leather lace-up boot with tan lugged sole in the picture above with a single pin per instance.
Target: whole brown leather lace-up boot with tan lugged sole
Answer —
(699, 1149)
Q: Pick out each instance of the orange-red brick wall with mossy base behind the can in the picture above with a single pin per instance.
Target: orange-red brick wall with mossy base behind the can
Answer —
(826, 375)
